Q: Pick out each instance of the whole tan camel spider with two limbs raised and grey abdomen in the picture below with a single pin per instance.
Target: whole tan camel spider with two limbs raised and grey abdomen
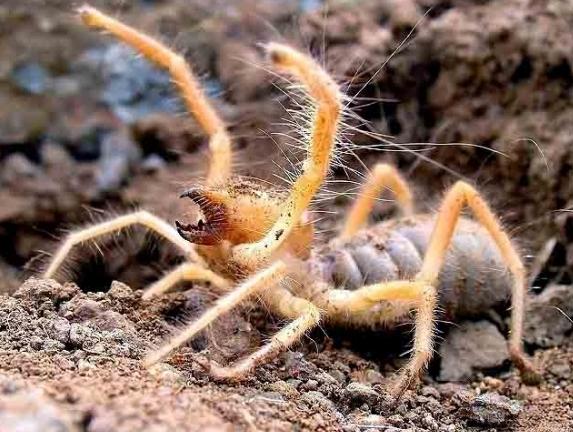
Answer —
(253, 239)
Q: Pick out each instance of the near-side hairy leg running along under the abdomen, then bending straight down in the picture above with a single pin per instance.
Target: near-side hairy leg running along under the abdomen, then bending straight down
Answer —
(424, 299)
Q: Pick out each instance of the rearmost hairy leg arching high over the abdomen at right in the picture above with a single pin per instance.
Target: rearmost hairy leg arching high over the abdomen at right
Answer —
(460, 195)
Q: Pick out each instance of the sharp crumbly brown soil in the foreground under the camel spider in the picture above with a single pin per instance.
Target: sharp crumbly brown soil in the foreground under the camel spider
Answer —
(70, 362)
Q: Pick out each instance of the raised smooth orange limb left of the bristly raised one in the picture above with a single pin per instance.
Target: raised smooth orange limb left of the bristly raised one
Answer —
(193, 96)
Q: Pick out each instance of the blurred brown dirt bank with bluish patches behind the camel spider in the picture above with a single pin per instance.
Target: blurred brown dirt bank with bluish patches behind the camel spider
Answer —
(446, 89)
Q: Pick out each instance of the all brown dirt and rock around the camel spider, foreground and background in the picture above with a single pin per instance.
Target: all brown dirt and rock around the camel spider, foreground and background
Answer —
(87, 130)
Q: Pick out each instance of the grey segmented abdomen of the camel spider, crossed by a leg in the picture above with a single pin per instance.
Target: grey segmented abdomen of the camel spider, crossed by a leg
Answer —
(474, 277)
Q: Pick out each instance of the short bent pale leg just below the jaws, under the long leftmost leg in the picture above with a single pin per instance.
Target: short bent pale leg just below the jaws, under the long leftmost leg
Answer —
(186, 272)
